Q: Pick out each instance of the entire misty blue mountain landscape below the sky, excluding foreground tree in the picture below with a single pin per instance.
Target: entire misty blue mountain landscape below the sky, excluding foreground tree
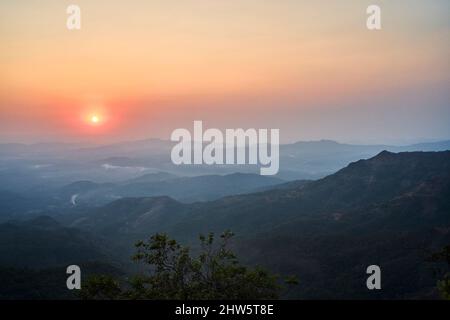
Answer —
(331, 211)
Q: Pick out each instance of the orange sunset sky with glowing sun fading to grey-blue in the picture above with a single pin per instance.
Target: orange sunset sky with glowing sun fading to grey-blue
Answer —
(144, 68)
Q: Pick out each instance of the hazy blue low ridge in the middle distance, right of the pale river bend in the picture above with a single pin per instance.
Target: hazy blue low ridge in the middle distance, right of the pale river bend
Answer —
(186, 189)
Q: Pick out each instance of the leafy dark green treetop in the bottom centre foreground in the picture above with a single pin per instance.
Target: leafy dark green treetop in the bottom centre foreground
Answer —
(174, 274)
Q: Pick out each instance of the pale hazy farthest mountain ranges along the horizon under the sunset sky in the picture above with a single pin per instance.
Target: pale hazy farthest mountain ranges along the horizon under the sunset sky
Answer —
(22, 166)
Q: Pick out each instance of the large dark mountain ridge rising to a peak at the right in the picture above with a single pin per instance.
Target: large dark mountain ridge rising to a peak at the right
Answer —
(391, 210)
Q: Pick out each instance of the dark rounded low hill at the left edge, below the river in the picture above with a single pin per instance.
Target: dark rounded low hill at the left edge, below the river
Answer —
(42, 243)
